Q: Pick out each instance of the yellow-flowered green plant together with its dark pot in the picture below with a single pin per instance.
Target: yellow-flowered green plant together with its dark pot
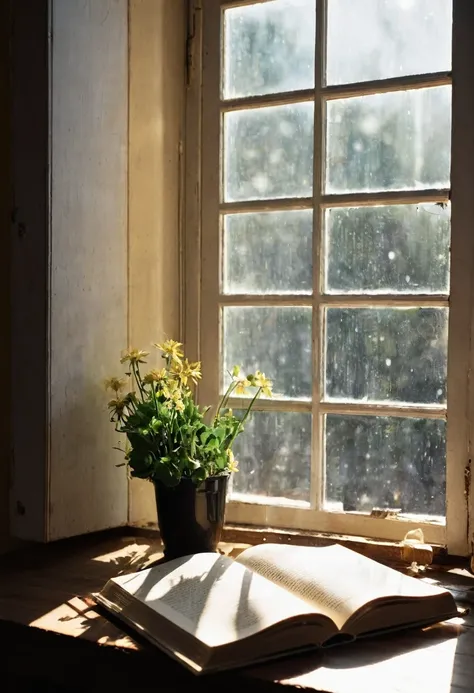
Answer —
(178, 446)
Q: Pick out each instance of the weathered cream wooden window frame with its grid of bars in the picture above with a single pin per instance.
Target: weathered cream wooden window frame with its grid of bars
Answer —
(201, 258)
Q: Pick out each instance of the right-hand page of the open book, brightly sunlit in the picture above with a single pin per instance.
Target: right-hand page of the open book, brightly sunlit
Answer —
(332, 578)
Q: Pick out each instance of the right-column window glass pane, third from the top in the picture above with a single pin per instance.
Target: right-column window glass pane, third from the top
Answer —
(392, 249)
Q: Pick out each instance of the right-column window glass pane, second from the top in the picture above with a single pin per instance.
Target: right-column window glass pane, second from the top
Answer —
(393, 141)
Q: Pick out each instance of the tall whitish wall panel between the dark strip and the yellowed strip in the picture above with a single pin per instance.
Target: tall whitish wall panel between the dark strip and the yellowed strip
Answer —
(88, 260)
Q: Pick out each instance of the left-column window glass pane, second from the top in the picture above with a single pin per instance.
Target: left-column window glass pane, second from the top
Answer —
(268, 152)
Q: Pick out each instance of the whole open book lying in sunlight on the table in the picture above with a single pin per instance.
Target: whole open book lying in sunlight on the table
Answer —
(212, 612)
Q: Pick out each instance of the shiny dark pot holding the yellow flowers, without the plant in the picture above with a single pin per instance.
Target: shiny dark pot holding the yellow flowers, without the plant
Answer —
(191, 516)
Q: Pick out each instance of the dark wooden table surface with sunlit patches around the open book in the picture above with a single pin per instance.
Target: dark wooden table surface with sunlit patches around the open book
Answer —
(49, 587)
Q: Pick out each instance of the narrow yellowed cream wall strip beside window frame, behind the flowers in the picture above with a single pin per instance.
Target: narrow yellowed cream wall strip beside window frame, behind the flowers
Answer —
(157, 62)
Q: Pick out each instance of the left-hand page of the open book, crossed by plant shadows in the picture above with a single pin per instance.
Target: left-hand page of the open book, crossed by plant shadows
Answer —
(212, 597)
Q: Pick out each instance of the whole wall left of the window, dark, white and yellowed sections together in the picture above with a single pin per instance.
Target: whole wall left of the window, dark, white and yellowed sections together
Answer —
(85, 245)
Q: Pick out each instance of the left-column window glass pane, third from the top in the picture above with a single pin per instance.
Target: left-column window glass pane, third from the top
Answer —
(268, 253)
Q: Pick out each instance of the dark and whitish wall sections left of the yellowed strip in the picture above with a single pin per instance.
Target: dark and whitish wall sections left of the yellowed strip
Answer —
(69, 262)
